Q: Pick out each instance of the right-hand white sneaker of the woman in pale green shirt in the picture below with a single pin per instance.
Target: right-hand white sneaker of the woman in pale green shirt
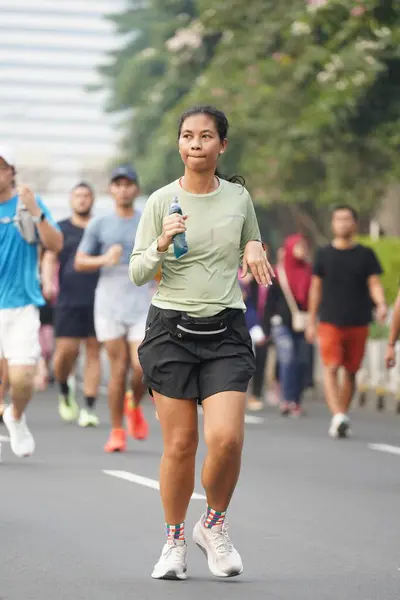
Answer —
(222, 557)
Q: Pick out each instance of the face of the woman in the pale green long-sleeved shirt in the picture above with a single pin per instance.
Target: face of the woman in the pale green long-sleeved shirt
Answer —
(199, 143)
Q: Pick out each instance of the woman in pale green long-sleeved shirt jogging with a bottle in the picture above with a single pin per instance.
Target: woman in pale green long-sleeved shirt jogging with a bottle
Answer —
(197, 347)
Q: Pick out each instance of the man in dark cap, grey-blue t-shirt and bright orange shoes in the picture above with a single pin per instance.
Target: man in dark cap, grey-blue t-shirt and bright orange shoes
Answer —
(120, 309)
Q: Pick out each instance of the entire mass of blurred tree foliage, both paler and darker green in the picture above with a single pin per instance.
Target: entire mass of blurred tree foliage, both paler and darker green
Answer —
(311, 88)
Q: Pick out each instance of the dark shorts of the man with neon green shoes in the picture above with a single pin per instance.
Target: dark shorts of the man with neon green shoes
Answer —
(74, 321)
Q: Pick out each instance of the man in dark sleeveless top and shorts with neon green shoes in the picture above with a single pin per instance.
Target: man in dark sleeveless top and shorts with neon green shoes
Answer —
(74, 313)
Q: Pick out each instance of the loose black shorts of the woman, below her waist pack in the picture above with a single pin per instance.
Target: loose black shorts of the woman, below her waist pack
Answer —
(195, 369)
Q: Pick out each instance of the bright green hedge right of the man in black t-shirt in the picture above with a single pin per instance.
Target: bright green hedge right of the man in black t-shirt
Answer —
(387, 250)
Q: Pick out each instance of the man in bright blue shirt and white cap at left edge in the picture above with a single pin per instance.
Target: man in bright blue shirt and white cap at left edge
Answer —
(20, 296)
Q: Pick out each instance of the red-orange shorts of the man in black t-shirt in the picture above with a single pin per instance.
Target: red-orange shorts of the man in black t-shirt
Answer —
(342, 346)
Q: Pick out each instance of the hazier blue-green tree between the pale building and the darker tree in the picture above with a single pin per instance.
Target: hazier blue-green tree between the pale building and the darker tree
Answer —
(165, 49)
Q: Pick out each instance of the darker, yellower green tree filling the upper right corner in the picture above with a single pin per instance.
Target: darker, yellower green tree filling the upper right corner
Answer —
(313, 92)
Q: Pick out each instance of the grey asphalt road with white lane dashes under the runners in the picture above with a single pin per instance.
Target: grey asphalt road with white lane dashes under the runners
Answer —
(314, 519)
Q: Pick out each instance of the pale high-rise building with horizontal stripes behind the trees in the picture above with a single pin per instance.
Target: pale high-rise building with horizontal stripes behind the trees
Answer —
(49, 50)
